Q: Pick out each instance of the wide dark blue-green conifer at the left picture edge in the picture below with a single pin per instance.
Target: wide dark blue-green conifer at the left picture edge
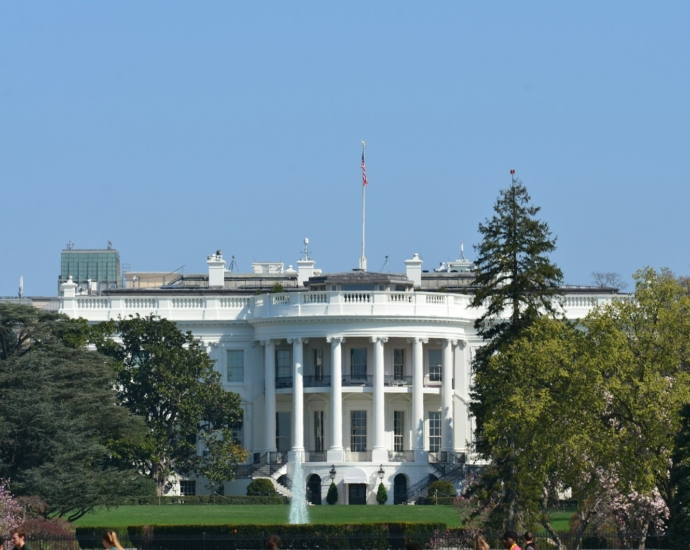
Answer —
(63, 436)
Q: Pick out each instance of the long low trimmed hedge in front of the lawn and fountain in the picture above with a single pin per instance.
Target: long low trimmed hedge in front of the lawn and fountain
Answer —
(369, 536)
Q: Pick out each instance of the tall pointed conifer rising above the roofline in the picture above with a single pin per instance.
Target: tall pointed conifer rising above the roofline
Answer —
(515, 284)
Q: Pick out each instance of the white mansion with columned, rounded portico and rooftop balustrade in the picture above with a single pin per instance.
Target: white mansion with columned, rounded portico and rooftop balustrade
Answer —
(365, 376)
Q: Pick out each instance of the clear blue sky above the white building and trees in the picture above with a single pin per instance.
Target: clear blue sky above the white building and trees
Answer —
(174, 129)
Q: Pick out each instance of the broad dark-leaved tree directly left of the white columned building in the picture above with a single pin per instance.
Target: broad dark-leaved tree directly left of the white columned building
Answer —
(166, 376)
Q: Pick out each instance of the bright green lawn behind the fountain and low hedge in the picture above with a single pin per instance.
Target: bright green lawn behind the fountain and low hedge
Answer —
(123, 516)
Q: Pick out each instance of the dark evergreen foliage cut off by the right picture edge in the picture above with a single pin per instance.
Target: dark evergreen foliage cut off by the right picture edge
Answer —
(679, 523)
